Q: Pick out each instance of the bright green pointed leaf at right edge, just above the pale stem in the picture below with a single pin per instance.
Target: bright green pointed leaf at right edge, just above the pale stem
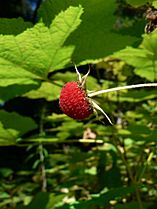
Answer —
(143, 58)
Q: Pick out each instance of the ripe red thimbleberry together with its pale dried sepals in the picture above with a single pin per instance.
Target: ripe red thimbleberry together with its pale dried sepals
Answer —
(74, 100)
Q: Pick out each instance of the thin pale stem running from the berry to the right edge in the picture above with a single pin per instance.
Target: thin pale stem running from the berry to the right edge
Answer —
(122, 88)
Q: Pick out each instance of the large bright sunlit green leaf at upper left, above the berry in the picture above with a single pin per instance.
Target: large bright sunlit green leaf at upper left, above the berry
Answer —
(31, 55)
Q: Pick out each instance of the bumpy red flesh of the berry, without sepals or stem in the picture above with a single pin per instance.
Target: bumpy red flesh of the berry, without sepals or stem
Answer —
(74, 101)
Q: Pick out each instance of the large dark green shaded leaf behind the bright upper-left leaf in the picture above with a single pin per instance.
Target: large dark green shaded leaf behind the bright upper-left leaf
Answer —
(97, 36)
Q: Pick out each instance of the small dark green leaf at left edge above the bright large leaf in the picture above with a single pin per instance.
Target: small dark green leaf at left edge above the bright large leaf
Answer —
(13, 26)
